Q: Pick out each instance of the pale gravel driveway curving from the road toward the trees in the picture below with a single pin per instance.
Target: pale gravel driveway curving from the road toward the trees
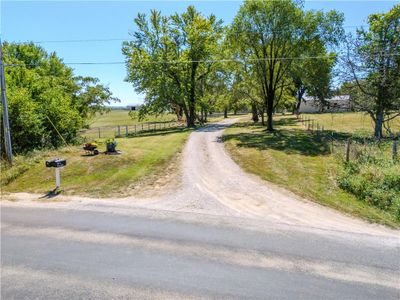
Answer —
(215, 185)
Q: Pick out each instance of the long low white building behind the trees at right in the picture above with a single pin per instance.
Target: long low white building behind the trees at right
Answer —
(335, 104)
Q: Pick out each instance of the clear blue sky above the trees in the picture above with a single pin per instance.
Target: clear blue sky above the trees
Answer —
(56, 23)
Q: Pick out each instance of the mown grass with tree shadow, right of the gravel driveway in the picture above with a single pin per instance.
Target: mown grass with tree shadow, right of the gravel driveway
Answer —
(300, 162)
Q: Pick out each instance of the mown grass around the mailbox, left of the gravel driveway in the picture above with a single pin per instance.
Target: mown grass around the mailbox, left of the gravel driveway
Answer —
(143, 160)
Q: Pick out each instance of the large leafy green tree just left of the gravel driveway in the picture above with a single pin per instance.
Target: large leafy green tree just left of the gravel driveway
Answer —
(169, 58)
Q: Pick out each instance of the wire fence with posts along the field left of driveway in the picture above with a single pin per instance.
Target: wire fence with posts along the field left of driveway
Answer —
(126, 130)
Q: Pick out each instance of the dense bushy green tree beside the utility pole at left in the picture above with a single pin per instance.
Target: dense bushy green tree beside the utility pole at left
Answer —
(45, 99)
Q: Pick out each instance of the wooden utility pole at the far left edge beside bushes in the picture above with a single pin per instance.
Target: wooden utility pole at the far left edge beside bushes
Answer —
(6, 124)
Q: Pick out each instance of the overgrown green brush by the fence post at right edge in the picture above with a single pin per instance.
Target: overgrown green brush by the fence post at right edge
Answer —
(374, 179)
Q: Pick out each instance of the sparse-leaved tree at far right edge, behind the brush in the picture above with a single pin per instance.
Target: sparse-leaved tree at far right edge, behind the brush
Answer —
(373, 62)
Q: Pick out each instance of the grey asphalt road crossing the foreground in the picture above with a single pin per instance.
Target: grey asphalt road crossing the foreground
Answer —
(60, 253)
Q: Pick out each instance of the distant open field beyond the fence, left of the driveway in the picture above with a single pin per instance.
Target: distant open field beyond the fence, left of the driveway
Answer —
(121, 117)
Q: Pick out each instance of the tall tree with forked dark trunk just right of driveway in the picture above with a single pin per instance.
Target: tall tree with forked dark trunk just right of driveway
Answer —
(274, 34)
